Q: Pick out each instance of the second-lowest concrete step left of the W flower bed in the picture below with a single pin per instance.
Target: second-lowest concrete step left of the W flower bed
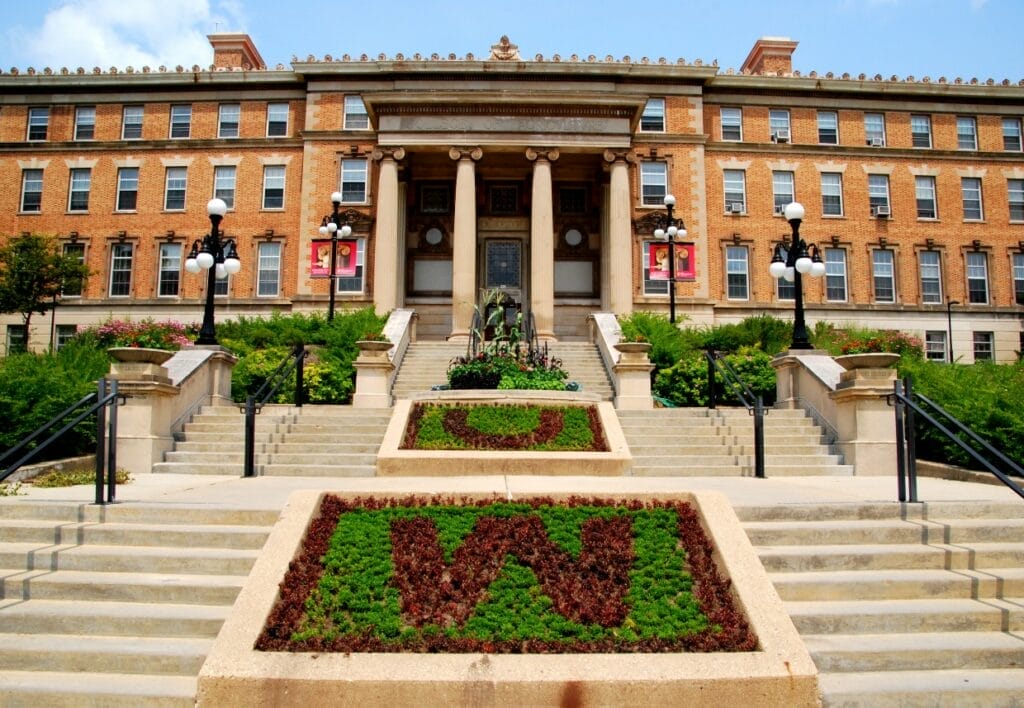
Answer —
(151, 655)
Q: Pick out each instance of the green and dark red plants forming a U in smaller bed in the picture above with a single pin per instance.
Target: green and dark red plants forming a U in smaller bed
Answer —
(504, 428)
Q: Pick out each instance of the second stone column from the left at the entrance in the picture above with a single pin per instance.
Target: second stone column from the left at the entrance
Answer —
(464, 242)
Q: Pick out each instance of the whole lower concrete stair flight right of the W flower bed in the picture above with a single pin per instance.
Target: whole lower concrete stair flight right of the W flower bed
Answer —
(903, 605)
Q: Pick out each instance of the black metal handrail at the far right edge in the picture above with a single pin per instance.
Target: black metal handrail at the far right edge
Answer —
(906, 403)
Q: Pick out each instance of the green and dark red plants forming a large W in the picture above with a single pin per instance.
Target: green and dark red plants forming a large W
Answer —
(535, 576)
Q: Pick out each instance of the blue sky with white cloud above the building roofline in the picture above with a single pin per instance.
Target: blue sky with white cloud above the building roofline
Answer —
(934, 38)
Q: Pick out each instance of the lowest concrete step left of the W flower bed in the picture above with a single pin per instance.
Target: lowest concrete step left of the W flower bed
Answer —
(74, 689)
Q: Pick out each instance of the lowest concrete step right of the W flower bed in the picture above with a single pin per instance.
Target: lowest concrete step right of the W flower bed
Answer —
(992, 689)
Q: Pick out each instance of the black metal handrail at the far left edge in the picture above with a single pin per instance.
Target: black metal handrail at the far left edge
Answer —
(107, 436)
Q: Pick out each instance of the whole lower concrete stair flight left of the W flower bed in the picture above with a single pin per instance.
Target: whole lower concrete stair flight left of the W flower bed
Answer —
(116, 606)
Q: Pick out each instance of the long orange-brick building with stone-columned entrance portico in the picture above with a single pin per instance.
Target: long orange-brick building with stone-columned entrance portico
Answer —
(543, 177)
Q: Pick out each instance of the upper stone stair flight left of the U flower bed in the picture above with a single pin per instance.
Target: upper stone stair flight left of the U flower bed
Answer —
(312, 441)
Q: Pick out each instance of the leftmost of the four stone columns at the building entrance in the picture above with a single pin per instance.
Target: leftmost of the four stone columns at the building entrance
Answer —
(387, 272)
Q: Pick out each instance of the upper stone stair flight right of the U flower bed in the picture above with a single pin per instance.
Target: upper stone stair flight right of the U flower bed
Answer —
(701, 442)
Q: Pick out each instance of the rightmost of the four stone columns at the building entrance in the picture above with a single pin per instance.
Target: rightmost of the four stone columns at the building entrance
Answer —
(620, 275)
